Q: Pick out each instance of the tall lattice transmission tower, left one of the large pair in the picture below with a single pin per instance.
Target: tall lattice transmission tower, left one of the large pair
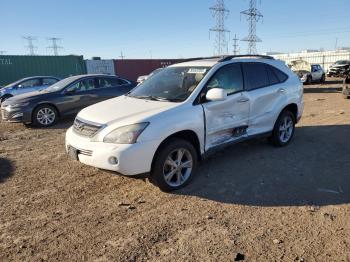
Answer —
(220, 13)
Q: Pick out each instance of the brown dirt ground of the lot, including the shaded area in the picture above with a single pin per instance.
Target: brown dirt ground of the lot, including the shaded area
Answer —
(251, 201)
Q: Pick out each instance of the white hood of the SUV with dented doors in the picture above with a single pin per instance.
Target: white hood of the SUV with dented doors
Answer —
(124, 108)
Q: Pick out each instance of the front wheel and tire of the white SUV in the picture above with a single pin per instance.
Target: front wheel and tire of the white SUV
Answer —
(178, 176)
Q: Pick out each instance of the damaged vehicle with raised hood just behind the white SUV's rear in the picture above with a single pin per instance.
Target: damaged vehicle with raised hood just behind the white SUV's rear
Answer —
(308, 73)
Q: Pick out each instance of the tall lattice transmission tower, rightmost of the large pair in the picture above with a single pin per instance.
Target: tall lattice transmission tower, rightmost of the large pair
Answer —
(253, 16)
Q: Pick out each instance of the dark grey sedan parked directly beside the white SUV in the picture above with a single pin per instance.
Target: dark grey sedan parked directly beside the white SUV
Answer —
(66, 97)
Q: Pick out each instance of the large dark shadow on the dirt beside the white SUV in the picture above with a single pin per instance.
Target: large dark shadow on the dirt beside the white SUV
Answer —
(313, 170)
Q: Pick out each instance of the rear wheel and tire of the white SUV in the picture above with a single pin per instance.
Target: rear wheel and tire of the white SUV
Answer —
(277, 134)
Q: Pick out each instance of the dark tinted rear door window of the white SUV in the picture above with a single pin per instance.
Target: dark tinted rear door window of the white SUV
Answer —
(255, 75)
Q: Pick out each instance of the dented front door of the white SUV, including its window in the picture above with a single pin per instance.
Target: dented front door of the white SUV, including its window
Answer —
(227, 121)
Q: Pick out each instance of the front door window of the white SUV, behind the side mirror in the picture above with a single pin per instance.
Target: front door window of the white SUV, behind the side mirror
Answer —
(229, 78)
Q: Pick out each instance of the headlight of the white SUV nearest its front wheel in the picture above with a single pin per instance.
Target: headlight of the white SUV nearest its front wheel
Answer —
(125, 134)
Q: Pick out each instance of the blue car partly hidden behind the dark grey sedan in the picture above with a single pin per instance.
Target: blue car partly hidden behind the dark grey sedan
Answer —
(26, 85)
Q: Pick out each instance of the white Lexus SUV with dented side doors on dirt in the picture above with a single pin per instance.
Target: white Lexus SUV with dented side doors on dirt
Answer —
(177, 117)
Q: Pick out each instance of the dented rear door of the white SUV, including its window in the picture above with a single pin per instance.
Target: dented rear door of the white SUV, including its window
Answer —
(266, 91)
